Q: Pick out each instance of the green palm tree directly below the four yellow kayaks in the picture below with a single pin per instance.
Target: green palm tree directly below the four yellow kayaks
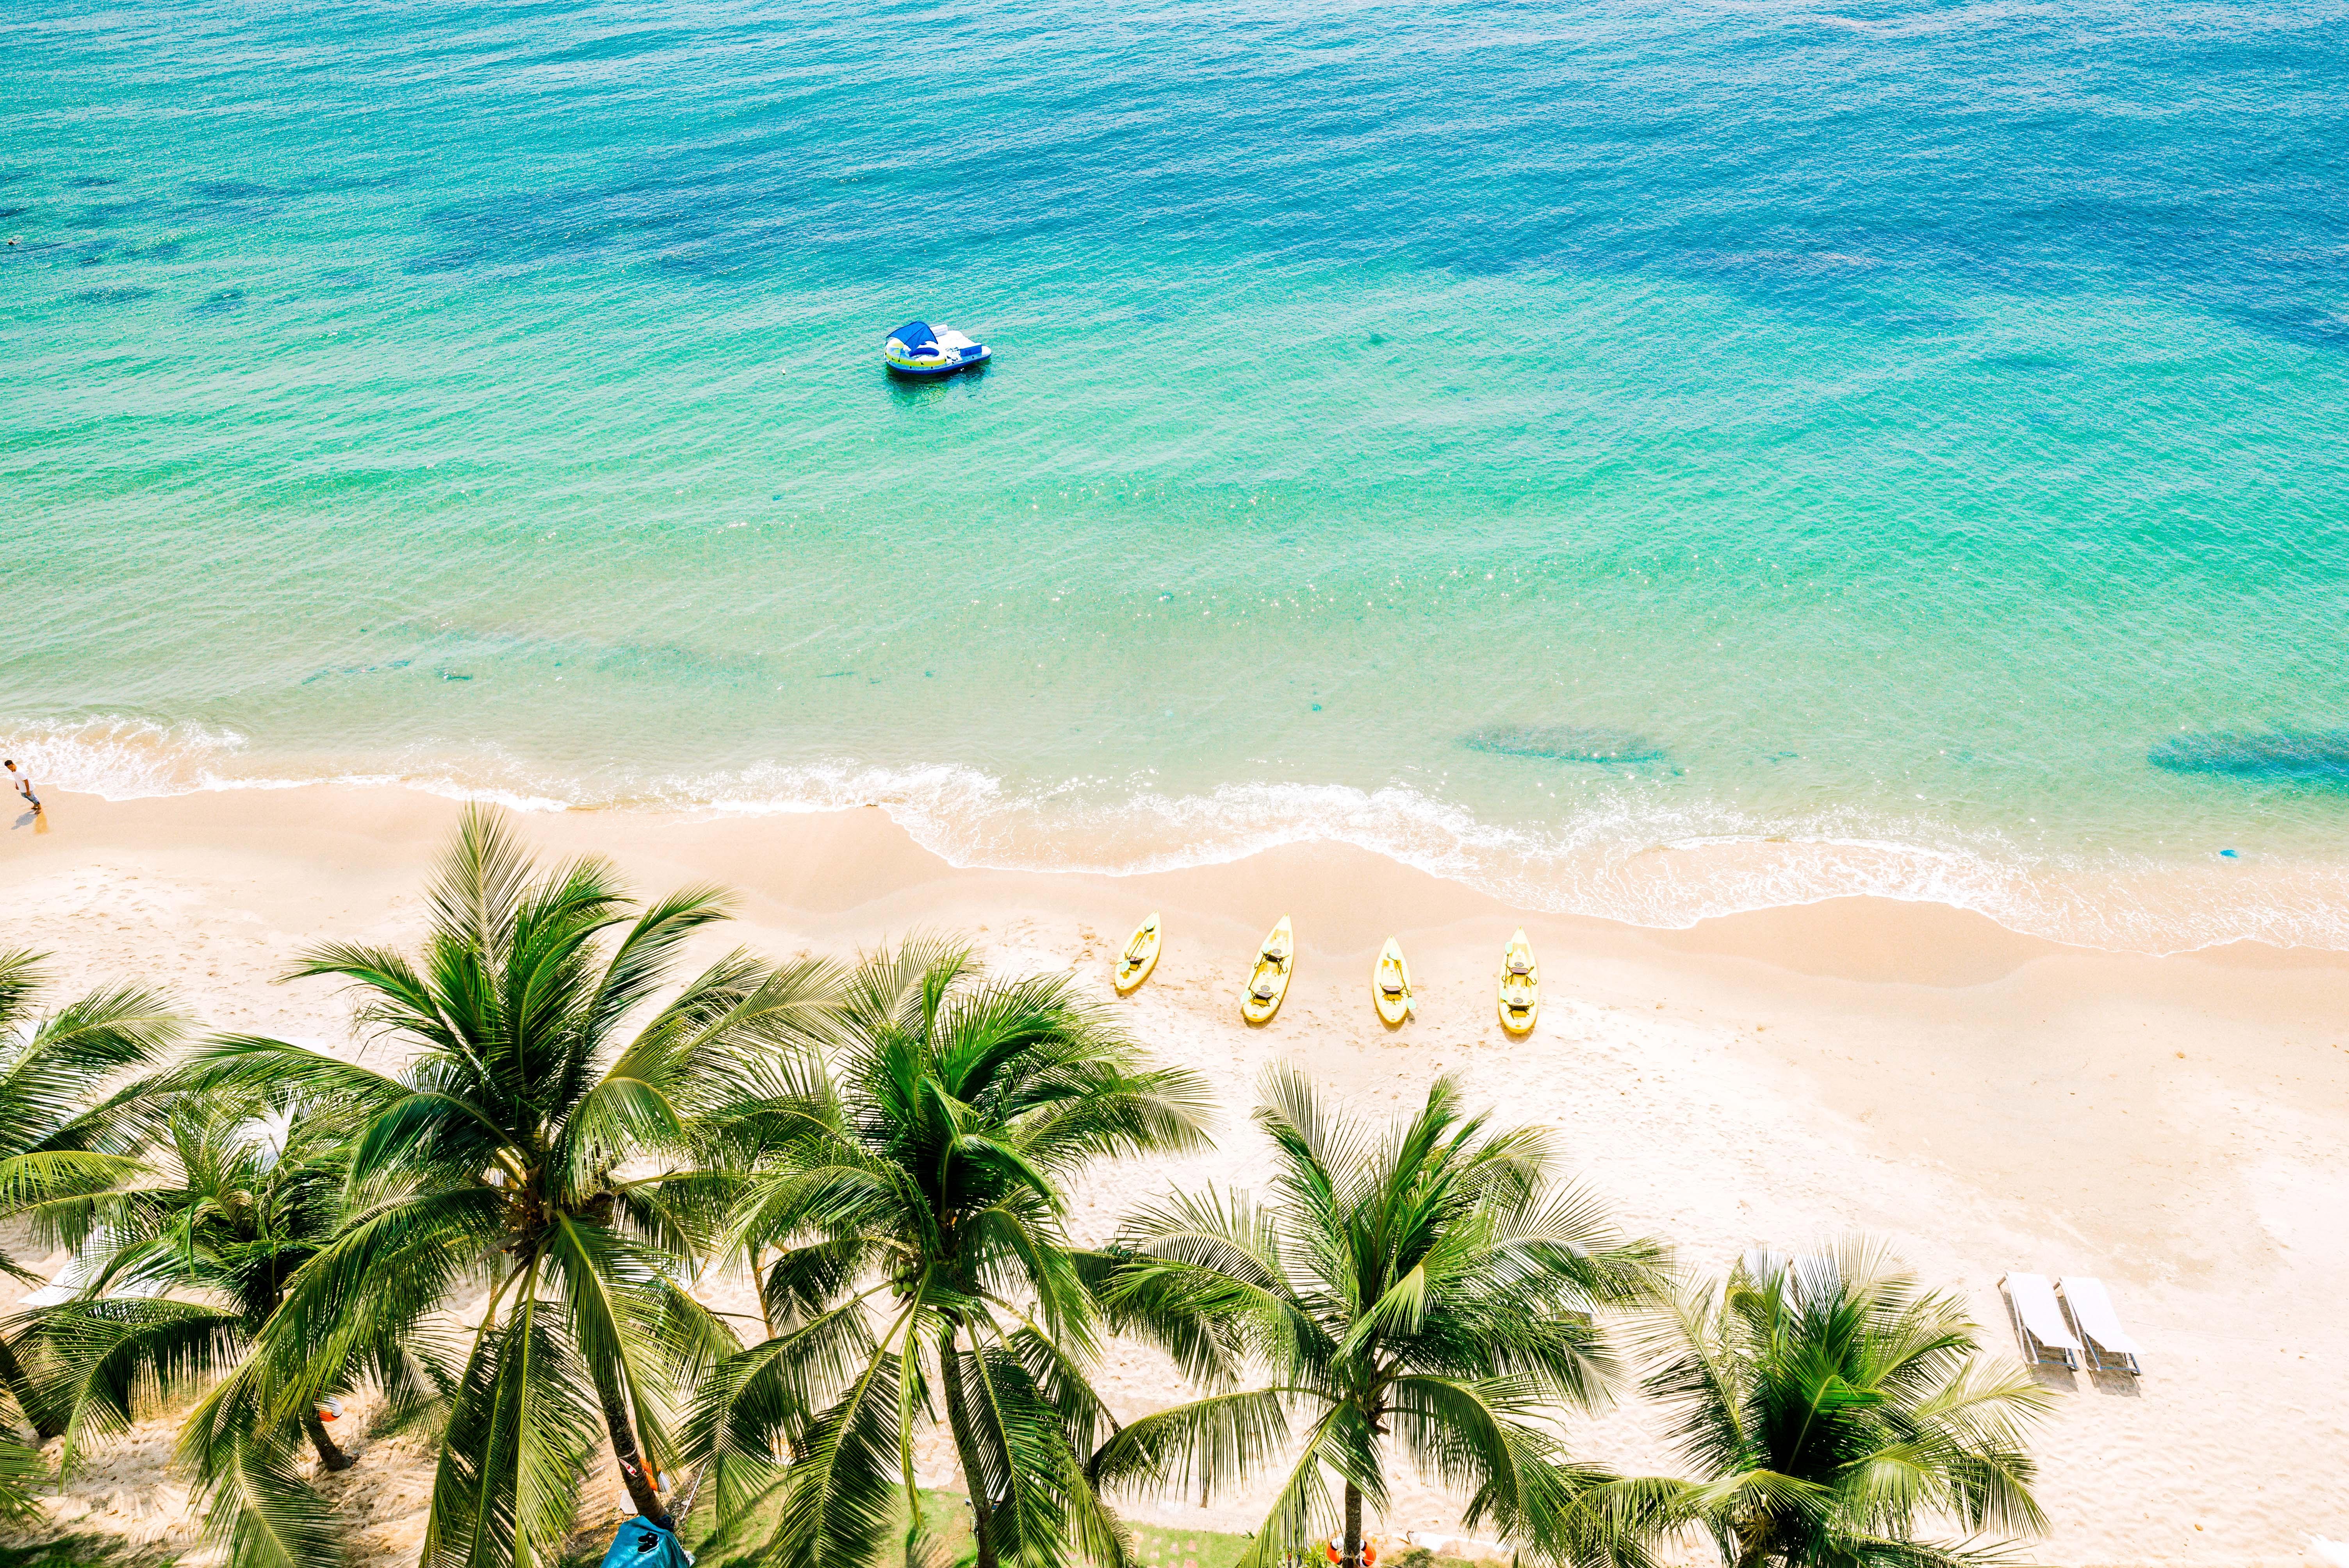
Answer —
(1427, 1287)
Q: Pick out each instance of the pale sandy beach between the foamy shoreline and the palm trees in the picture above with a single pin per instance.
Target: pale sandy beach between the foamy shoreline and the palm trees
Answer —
(1979, 1100)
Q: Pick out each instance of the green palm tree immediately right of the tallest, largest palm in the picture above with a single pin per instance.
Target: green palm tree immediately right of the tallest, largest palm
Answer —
(915, 1203)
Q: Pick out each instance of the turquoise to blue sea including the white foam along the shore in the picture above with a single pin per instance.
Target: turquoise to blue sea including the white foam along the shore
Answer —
(1638, 459)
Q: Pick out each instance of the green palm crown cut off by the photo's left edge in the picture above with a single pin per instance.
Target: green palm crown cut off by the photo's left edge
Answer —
(67, 1126)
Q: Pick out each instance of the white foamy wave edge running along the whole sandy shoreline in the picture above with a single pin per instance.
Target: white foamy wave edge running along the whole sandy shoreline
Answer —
(1622, 858)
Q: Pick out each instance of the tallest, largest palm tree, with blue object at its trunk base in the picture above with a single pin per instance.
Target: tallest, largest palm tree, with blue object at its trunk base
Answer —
(534, 1147)
